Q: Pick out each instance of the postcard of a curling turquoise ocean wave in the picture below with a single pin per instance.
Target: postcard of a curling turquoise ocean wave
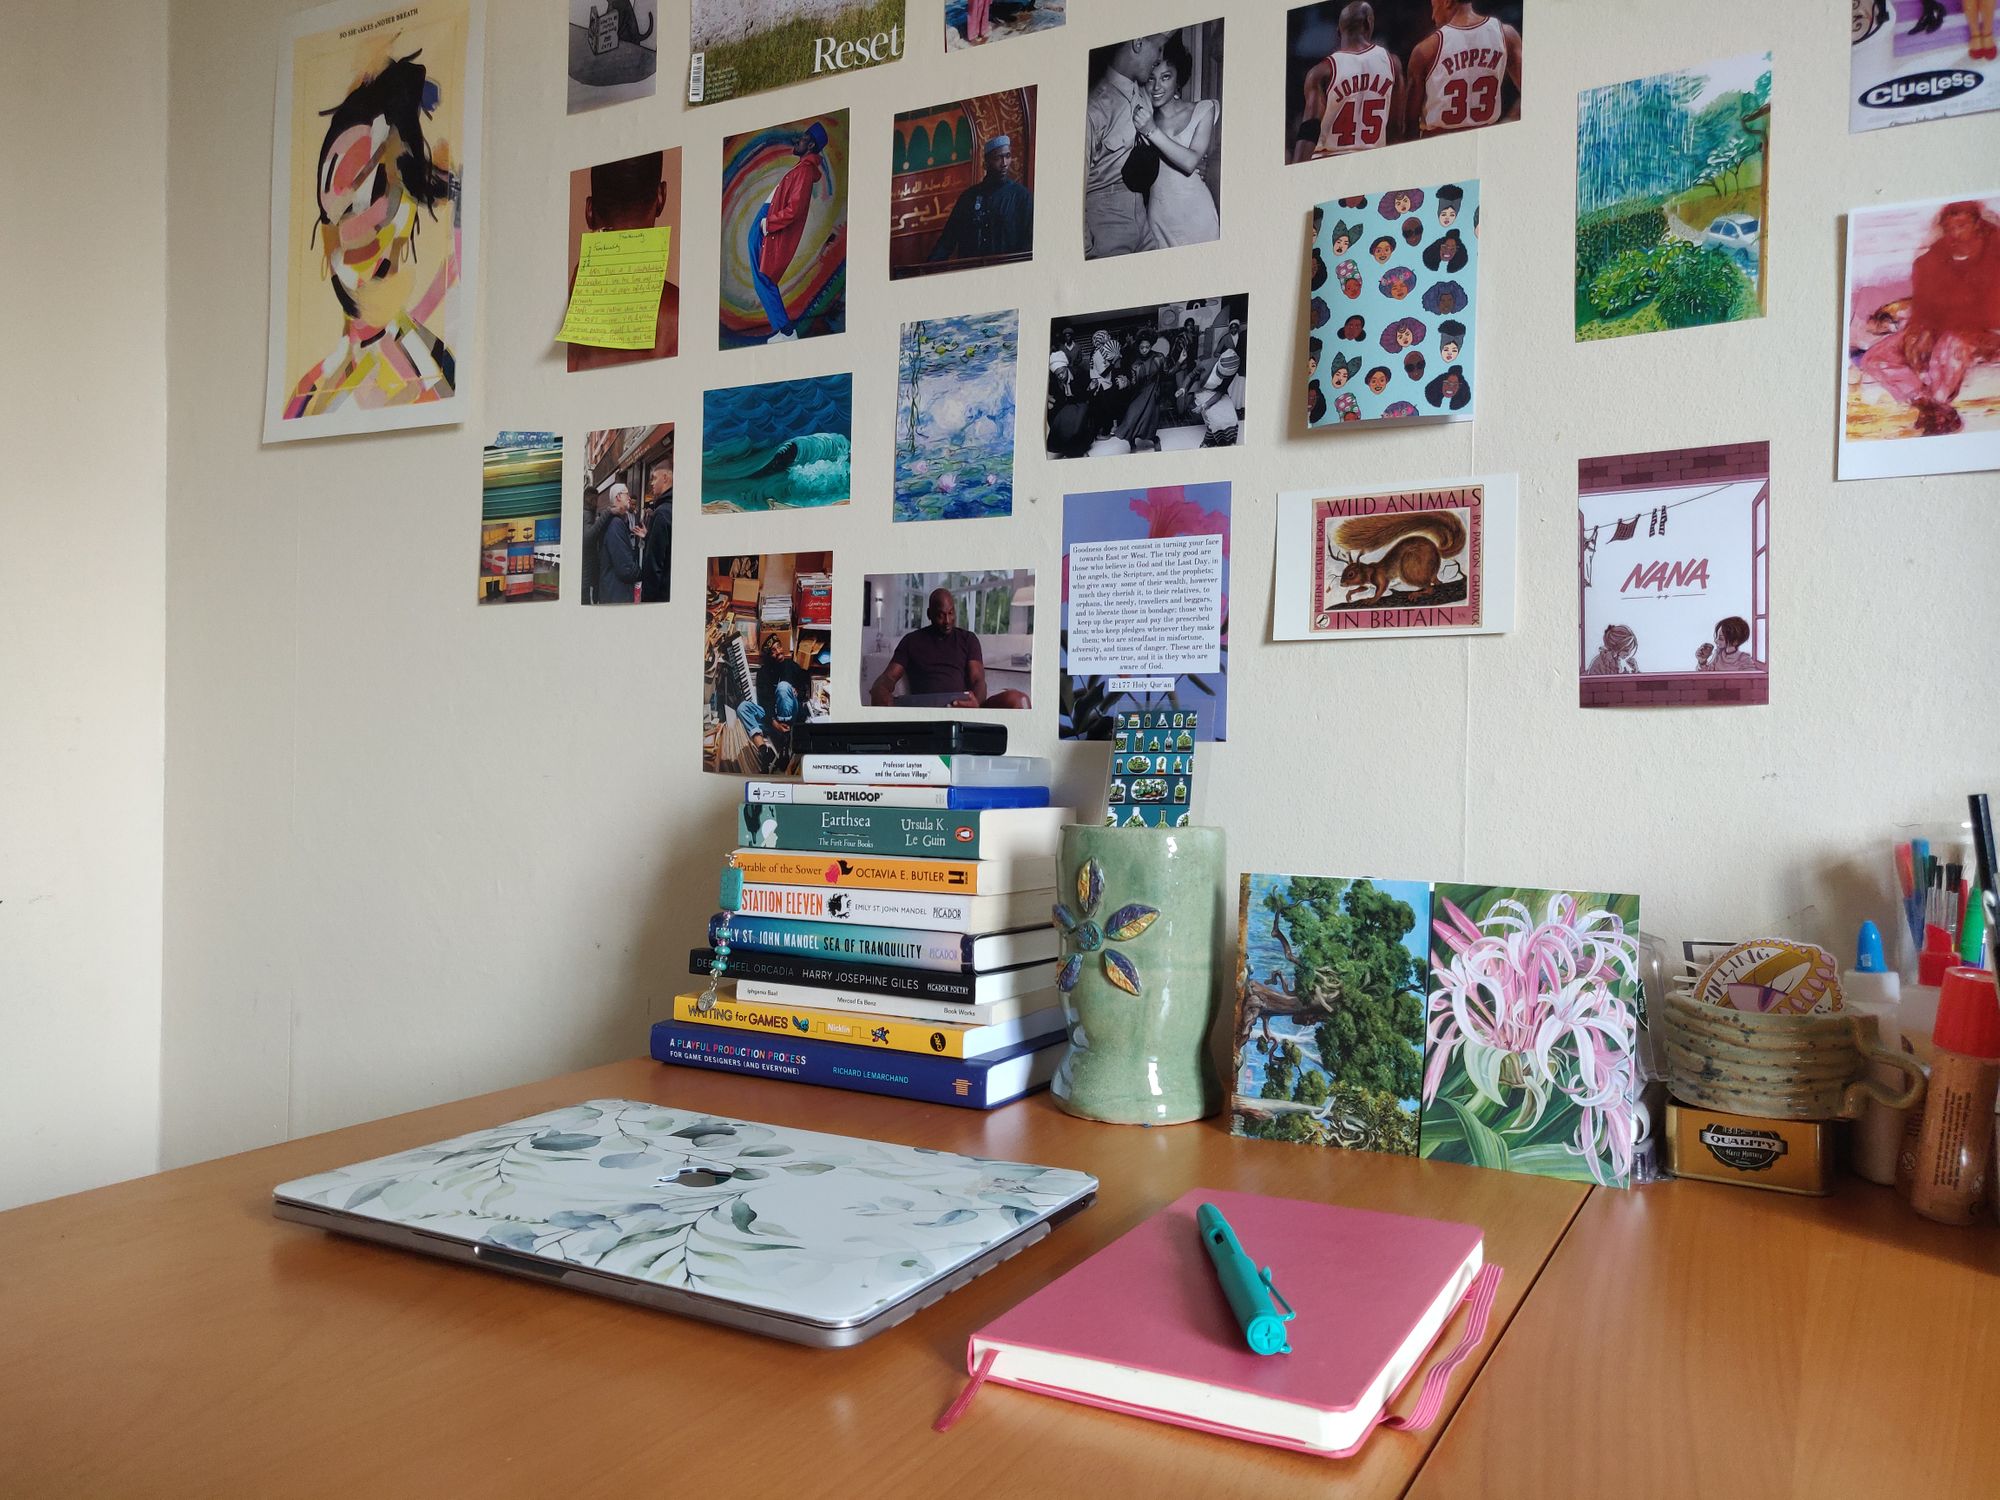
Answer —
(777, 447)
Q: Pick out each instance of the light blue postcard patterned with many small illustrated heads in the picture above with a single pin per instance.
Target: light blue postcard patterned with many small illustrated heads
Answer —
(1393, 309)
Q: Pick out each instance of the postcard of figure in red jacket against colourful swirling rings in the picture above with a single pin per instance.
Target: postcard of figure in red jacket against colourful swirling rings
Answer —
(785, 233)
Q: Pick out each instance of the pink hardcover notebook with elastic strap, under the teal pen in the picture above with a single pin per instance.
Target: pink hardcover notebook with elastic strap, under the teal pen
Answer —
(1143, 1325)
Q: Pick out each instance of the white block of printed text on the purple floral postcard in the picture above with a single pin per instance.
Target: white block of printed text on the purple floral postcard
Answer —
(1147, 607)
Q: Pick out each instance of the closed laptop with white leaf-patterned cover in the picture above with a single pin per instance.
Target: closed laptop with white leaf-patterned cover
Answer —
(789, 1233)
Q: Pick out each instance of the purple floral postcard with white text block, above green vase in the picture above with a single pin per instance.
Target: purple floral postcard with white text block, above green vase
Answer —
(1145, 607)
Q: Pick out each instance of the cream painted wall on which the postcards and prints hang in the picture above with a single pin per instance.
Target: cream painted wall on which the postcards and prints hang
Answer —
(419, 851)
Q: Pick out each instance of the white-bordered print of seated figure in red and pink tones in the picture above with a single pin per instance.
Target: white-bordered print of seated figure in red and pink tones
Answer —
(1921, 389)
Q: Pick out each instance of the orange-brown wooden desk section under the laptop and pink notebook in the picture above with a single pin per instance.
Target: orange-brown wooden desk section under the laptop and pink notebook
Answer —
(169, 1337)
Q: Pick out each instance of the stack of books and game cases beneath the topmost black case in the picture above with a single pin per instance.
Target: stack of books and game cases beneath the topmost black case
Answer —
(893, 933)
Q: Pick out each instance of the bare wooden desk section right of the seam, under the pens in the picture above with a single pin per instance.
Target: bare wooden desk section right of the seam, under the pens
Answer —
(1705, 1341)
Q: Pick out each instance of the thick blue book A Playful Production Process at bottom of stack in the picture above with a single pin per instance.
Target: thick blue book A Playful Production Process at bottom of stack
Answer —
(969, 1083)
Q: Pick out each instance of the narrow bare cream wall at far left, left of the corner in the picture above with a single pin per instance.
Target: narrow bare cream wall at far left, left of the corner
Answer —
(83, 501)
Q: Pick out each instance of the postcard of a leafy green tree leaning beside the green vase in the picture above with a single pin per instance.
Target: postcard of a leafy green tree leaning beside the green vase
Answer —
(1333, 981)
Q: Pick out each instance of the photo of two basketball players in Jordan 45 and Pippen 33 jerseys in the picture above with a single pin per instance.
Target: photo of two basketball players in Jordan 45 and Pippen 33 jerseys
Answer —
(1371, 73)
